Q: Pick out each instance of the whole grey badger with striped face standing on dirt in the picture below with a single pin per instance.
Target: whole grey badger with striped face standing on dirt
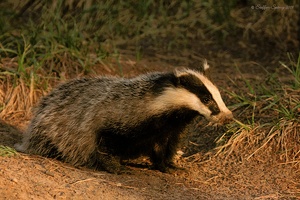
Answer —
(99, 122)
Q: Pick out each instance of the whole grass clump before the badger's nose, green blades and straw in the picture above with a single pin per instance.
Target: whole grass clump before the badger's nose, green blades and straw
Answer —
(280, 130)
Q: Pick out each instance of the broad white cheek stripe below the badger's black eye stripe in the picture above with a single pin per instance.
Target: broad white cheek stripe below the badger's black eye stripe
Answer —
(178, 97)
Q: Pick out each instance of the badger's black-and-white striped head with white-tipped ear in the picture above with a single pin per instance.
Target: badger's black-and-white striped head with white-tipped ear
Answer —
(195, 91)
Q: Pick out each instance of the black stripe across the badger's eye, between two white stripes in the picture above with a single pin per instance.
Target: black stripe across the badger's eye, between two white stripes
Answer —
(195, 86)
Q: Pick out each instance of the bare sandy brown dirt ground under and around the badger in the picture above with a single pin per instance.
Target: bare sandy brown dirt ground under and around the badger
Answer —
(205, 177)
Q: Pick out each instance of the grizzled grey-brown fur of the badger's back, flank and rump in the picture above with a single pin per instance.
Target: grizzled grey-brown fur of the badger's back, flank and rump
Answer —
(73, 113)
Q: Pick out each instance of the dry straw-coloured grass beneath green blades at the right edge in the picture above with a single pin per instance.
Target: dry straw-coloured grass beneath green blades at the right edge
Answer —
(263, 142)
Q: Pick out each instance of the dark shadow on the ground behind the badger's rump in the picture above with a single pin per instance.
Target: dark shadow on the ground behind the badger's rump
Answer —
(9, 134)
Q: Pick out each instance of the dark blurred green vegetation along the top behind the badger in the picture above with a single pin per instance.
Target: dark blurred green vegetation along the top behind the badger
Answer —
(223, 31)
